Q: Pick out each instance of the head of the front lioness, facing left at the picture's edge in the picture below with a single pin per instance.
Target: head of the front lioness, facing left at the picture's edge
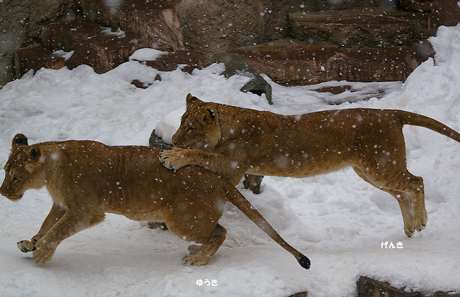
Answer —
(23, 169)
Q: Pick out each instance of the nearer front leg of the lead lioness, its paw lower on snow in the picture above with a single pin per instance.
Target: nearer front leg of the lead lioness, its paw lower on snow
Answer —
(73, 221)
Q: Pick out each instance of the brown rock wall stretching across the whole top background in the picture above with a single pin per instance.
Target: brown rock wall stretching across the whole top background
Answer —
(208, 27)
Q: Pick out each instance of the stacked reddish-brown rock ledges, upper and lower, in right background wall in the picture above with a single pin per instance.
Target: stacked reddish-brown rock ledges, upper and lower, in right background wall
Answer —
(352, 45)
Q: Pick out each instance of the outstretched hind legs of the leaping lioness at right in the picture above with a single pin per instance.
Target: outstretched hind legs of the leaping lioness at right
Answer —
(408, 191)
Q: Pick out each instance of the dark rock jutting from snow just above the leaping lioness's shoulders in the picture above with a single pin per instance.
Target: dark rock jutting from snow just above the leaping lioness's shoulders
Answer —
(234, 64)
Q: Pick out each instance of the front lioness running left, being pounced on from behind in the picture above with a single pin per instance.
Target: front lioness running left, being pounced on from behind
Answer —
(87, 179)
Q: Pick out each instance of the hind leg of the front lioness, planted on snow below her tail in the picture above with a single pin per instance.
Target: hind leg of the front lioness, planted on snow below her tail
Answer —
(200, 255)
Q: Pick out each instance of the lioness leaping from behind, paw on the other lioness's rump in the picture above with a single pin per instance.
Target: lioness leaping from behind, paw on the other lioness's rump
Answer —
(232, 141)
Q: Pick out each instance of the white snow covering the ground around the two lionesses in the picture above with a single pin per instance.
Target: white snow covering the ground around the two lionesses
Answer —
(341, 223)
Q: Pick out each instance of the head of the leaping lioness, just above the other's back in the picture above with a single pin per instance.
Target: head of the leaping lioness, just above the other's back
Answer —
(199, 126)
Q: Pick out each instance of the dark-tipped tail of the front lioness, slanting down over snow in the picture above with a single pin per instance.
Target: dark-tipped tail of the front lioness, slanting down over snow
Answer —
(237, 199)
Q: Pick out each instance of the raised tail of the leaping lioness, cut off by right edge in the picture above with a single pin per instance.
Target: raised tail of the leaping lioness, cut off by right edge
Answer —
(409, 118)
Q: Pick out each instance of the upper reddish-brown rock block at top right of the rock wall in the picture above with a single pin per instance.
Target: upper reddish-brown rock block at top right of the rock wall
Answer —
(374, 28)
